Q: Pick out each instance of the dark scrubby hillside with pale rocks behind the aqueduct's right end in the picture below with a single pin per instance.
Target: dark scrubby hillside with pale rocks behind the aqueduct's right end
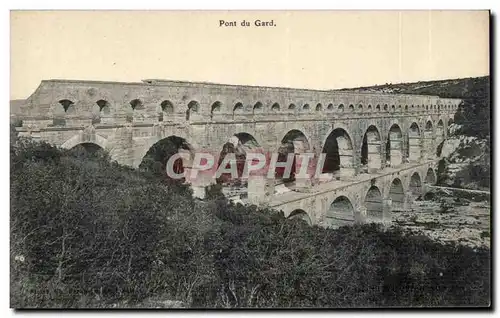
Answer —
(467, 150)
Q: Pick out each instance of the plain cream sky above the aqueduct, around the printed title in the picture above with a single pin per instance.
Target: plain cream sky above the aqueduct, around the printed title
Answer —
(304, 49)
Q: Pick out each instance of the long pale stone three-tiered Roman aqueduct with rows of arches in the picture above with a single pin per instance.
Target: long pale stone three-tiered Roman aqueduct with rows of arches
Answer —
(382, 150)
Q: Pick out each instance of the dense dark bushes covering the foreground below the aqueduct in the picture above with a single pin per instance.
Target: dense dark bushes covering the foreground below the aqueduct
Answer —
(86, 232)
